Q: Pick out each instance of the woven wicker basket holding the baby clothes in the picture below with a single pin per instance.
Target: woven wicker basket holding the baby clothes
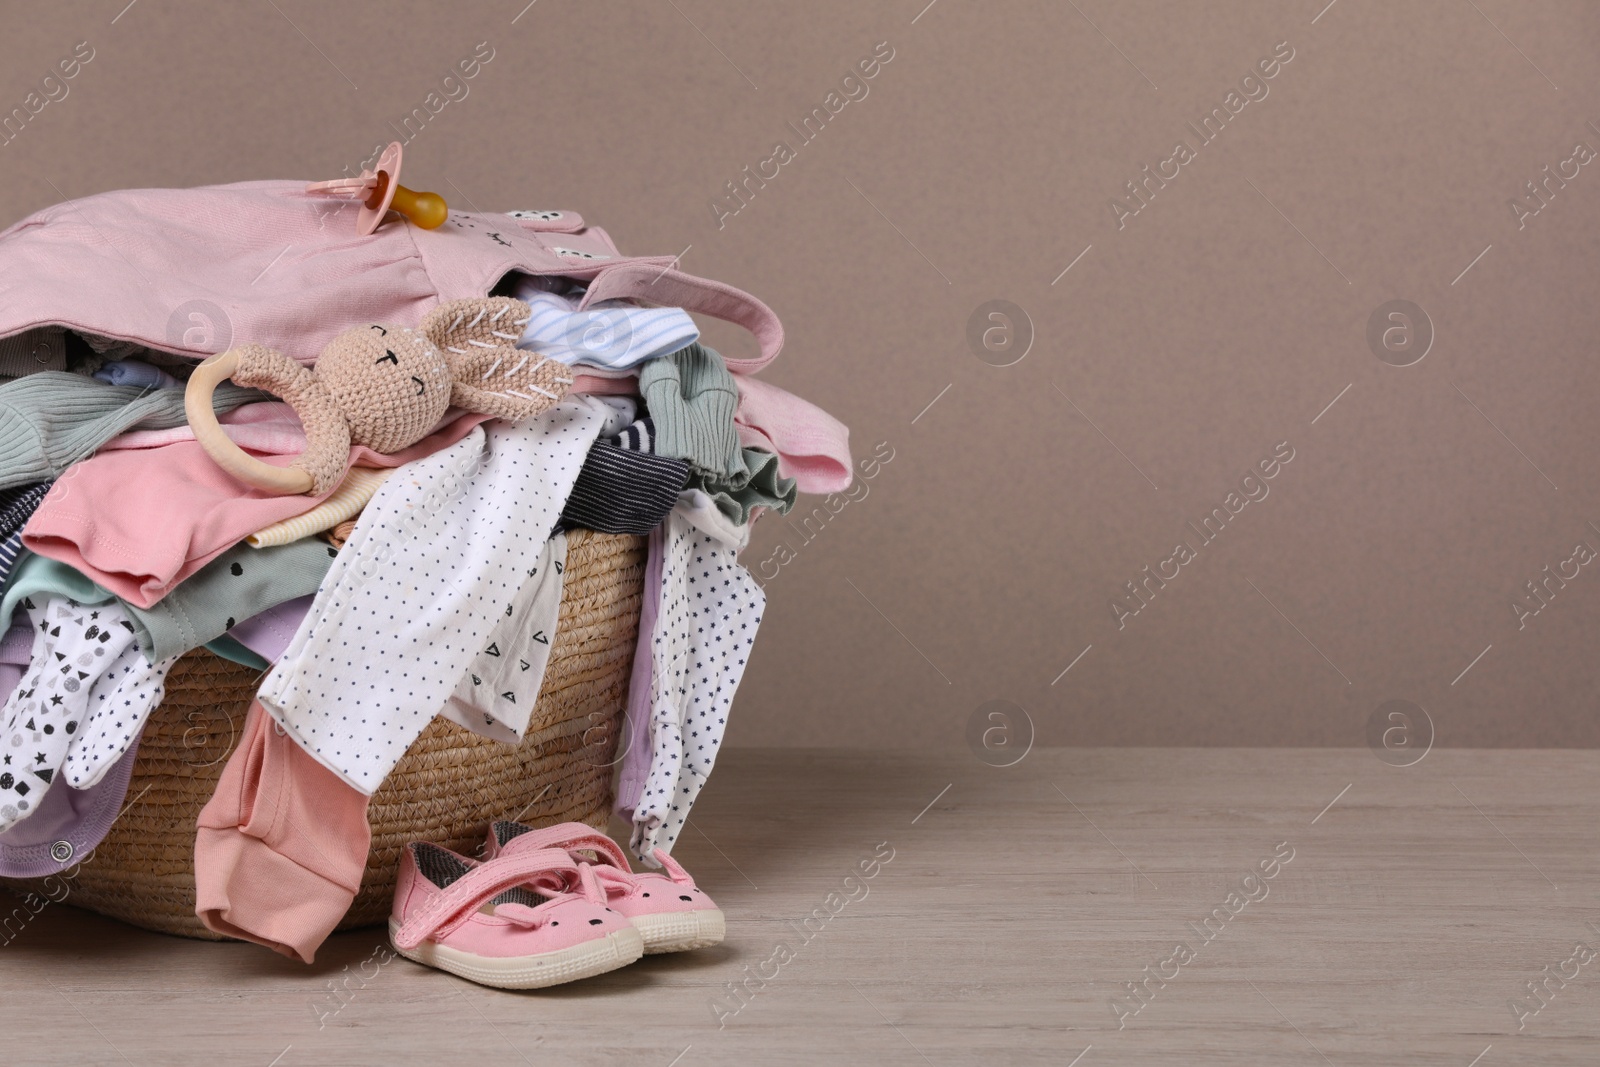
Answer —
(447, 789)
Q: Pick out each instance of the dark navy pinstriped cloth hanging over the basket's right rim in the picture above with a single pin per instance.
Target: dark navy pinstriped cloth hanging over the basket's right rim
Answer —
(623, 492)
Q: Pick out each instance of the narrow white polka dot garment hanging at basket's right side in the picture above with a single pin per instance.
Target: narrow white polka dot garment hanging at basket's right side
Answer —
(705, 631)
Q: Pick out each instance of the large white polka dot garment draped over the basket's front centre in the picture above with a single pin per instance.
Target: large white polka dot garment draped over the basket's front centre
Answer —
(434, 562)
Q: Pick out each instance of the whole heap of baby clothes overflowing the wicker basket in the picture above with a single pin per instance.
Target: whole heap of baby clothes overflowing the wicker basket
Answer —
(426, 583)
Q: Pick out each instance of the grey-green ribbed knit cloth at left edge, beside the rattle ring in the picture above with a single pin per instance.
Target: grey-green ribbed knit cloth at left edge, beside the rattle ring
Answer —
(52, 420)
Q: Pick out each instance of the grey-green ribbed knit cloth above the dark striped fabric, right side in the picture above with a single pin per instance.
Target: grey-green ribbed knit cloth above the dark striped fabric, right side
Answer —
(692, 399)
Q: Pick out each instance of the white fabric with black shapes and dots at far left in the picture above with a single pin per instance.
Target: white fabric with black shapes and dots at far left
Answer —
(81, 705)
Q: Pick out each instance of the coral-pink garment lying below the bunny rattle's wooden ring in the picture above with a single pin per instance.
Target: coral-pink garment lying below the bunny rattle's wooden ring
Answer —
(140, 522)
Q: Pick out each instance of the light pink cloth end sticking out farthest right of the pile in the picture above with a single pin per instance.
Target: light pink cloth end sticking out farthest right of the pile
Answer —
(814, 447)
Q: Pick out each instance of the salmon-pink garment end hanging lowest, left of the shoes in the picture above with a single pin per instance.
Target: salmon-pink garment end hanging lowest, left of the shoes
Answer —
(281, 847)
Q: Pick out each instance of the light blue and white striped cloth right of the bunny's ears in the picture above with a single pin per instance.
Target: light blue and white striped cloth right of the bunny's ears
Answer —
(614, 335)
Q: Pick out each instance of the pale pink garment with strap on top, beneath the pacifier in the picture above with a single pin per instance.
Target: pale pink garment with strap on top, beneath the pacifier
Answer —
(198, 271)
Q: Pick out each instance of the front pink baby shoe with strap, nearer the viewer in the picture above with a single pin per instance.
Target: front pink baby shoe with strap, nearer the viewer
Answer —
(487, 924)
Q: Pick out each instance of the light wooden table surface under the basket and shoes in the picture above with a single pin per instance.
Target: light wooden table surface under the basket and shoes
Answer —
(1406, 914)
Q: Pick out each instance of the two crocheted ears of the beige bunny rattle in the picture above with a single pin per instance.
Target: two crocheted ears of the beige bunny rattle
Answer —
(490, 374)
